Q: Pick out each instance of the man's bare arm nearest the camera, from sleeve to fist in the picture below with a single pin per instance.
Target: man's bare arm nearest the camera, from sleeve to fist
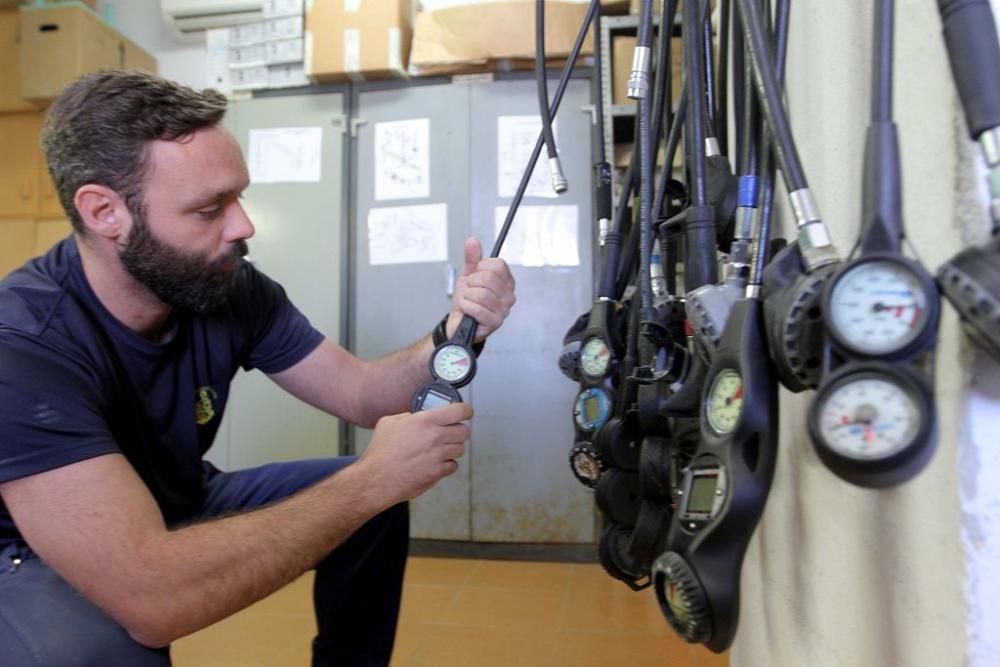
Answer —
(97, 525)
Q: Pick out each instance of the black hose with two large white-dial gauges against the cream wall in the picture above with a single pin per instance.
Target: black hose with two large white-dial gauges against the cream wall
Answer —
(874, 424)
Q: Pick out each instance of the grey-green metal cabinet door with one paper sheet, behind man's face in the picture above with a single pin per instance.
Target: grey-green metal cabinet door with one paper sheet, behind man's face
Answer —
(298, 243)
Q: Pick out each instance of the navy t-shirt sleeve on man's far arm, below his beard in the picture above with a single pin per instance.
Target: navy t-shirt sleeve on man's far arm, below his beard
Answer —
(282, 336)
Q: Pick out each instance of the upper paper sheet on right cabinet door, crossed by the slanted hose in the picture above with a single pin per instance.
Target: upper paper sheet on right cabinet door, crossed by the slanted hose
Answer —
(516, 137)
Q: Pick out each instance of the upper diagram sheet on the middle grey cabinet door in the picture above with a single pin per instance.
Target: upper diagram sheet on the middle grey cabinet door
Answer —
(402, 159)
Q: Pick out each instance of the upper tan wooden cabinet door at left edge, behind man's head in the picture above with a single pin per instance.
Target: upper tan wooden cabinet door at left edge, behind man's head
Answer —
(19, 170)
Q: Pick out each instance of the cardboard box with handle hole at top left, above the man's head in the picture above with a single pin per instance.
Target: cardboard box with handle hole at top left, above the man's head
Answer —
(61, 44)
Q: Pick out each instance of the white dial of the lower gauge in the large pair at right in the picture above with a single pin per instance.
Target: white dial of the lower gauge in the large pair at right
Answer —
(869, 418)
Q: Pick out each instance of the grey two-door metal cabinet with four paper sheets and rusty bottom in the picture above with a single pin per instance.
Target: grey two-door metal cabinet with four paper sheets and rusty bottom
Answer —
(514, 485)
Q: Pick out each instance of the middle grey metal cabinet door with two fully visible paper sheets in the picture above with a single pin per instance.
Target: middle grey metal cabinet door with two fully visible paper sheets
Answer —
(417, 137)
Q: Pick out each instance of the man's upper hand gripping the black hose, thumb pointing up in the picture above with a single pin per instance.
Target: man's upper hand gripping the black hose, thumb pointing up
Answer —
(484, 291)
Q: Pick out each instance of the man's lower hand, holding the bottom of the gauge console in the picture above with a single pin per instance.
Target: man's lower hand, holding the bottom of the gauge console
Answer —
(409, 453)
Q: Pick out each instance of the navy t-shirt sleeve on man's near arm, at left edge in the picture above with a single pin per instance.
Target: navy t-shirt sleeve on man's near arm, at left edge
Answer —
(51, 413)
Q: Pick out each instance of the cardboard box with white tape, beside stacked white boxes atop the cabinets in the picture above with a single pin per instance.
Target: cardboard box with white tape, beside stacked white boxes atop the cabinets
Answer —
(357, 40)
